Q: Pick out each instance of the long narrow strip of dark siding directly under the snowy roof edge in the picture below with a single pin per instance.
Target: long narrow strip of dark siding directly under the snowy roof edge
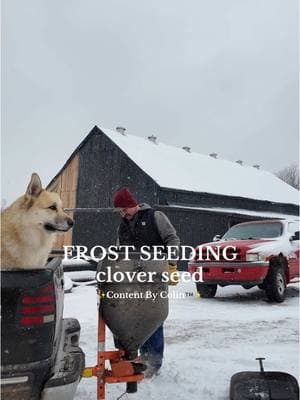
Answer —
(180, 197)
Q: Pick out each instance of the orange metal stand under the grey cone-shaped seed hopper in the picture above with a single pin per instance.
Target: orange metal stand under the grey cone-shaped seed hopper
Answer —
(121, 370)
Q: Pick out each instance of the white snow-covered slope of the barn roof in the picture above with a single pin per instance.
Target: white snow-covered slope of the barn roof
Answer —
(173, 167)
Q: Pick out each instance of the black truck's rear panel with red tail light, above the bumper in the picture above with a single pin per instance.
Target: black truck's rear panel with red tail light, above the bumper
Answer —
(29, 313)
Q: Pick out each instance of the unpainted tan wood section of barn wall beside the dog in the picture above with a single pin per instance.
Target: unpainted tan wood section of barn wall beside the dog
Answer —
(67, 188)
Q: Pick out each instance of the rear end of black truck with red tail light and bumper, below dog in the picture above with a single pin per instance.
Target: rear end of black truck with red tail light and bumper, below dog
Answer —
(40, 353)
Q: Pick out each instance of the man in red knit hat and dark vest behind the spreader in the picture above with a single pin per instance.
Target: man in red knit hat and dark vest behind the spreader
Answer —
(141, 225)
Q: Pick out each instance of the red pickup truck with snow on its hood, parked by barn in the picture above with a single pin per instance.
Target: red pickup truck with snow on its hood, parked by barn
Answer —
(266, 254)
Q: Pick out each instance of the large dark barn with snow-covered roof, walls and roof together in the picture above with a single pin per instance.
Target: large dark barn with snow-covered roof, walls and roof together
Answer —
(201, 194)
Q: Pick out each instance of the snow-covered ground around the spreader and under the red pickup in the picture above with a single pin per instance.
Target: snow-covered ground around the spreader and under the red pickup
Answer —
(207, 341)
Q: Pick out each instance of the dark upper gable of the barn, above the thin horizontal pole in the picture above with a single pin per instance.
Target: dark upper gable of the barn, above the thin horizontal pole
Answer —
(104, 168)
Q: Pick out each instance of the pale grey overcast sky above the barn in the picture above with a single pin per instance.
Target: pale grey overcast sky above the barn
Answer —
(216, 75)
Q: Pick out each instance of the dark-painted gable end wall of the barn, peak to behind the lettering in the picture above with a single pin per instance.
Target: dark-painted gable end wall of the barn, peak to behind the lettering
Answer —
(104, 168)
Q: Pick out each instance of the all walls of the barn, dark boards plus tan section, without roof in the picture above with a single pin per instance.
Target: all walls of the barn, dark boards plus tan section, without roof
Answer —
(100, 168)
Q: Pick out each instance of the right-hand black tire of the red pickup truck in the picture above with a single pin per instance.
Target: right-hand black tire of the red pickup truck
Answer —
(275, 284)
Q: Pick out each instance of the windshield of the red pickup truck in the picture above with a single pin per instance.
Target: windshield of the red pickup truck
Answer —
(254, 231)
